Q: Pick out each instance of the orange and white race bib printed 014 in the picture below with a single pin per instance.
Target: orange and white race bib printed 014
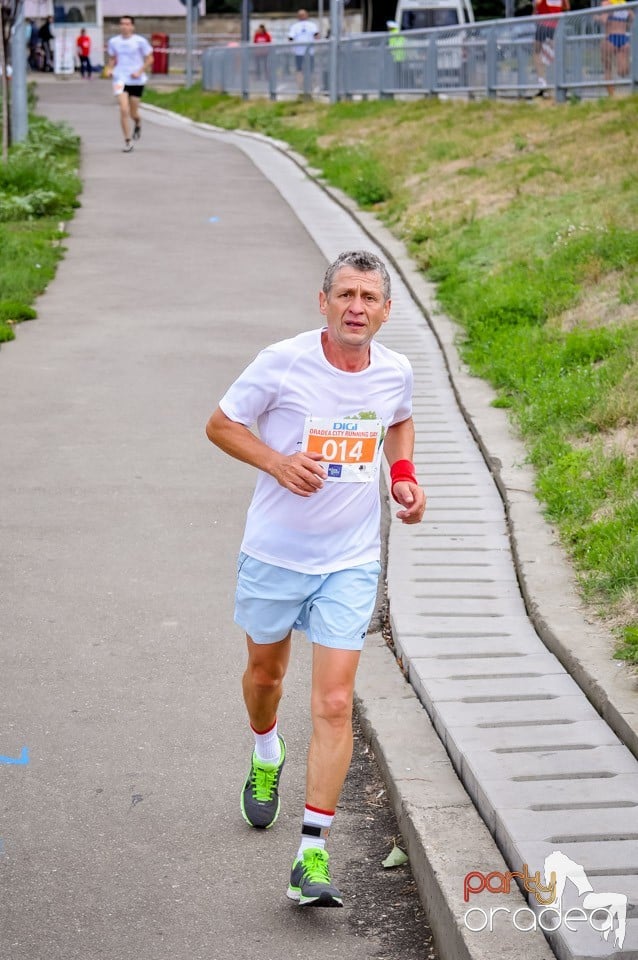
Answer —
(349, 447)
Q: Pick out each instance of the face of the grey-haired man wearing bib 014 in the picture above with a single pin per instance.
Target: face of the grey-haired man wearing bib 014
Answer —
(355, 309)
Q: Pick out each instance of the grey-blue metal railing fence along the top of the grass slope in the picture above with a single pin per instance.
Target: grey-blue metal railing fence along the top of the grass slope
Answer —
(571, 54)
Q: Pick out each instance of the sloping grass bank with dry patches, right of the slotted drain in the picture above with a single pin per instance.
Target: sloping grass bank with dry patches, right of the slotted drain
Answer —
(526, 217)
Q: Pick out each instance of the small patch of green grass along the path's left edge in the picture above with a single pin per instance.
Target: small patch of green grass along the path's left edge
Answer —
(38, 190)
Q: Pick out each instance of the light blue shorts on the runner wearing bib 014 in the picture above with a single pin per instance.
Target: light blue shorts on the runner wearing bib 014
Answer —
(333, 609)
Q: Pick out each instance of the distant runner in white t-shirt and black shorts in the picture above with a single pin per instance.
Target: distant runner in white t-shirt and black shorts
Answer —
(130, 56)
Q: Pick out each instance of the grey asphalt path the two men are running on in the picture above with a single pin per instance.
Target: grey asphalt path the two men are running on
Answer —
(121, 835)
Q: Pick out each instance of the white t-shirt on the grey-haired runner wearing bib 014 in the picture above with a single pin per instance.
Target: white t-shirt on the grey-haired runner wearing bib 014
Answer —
(338, 526)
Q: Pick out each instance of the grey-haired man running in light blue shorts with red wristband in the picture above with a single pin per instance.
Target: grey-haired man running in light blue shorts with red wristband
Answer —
(327, 403)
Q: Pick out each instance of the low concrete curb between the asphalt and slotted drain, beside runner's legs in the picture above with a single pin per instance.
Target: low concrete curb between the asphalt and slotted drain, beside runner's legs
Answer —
(439, 823)
